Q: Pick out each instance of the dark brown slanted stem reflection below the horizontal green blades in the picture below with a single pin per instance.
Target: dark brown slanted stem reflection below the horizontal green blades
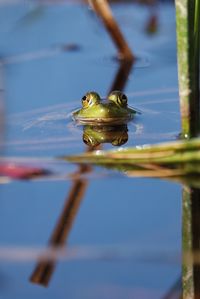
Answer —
(44, 269)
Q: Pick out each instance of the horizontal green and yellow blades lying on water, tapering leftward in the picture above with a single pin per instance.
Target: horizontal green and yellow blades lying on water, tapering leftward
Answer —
(167, 159)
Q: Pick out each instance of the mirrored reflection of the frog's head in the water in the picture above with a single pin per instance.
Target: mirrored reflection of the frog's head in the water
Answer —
(95, 135)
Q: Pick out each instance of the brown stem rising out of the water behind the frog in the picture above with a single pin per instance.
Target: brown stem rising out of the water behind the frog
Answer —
(102, 8)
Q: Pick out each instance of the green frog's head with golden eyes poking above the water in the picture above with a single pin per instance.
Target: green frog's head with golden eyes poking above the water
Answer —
(94, 110)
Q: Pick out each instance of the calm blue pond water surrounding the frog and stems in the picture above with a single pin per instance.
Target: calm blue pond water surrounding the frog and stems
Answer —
(122, 235)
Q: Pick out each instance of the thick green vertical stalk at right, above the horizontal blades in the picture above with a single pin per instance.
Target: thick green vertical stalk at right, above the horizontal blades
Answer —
(187, 19)
